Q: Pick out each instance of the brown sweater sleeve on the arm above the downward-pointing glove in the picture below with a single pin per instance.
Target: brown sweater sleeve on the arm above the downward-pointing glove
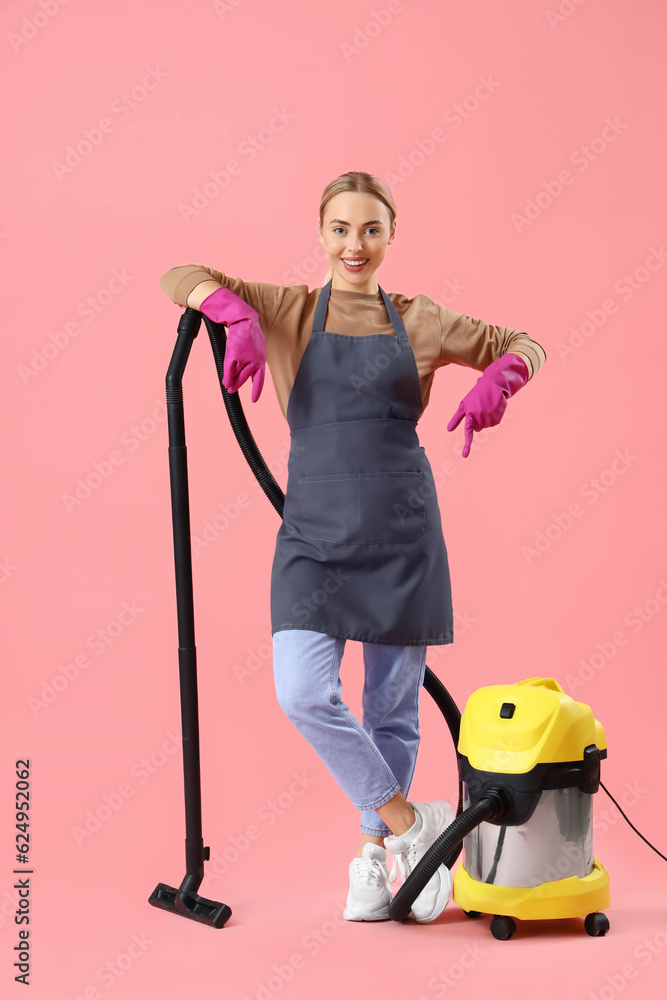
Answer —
(475, 343)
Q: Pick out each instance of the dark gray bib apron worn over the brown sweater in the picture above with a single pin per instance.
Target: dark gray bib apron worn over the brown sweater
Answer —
(360, 552)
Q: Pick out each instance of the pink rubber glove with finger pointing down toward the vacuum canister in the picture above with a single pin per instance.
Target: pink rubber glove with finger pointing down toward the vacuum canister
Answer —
(485, 404)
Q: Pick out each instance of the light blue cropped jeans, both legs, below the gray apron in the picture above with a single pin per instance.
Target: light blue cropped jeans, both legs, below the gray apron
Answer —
(372, 760)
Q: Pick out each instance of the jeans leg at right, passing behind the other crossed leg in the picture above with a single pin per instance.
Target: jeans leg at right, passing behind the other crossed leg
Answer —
(393, 678)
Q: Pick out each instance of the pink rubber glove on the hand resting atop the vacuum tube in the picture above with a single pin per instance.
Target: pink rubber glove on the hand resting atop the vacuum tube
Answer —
(245, 351)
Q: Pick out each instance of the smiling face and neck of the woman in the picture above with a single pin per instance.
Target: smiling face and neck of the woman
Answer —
(356, 226)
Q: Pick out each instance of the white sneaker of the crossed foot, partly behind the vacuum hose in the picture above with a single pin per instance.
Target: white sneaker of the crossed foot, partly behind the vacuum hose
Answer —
(432, 818)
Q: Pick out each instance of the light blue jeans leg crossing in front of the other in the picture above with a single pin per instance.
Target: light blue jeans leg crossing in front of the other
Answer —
(306, 667)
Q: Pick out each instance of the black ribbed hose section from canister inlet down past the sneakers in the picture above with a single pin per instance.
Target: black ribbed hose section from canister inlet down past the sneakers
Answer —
(488, 807)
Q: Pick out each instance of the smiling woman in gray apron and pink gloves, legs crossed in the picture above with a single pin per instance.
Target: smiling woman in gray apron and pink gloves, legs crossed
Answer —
(360, 553)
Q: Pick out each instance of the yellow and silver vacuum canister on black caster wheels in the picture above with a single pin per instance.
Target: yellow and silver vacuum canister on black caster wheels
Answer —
(542, 750)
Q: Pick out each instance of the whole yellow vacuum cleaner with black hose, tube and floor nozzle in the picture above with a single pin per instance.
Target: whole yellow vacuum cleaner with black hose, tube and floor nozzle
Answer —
(528, 755)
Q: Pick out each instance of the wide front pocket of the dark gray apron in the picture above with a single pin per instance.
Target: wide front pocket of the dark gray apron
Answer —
(363, 508)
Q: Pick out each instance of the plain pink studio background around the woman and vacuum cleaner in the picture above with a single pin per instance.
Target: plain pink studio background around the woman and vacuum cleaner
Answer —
(364, 86)
